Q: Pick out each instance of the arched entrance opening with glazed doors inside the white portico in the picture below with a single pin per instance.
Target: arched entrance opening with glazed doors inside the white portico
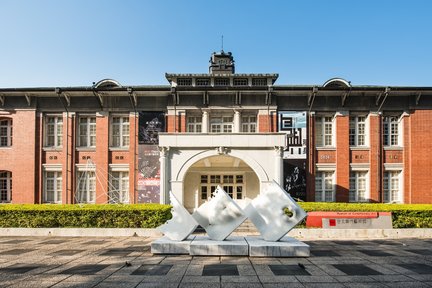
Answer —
(236, 177)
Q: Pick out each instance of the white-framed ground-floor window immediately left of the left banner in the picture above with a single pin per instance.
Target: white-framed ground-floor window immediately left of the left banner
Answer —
(121, 191)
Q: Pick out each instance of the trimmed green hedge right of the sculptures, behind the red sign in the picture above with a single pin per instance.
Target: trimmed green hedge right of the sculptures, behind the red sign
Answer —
(403, 215)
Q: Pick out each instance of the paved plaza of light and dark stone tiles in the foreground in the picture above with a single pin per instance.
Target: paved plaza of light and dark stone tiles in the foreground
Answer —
(127, 262)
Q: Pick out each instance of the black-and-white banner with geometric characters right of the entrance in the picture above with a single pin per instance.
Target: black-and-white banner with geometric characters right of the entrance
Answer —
(293, 123)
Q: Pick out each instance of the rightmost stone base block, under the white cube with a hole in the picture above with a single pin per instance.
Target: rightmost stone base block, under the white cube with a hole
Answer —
(286, 247)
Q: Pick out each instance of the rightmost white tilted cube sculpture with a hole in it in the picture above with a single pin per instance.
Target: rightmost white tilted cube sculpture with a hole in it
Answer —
(267, 212)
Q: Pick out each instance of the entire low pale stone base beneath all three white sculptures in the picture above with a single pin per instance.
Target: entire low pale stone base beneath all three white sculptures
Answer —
(252, 246)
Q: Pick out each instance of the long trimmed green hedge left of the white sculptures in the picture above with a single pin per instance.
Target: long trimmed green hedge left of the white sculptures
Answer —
(96, 216)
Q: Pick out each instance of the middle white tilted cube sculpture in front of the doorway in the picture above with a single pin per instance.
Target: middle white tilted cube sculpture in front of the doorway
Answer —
(220, 216)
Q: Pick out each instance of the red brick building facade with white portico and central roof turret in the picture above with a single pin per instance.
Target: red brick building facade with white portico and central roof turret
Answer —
(109, 143)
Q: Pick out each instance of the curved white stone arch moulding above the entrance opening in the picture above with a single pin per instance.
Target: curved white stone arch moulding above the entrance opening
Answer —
(254, 165)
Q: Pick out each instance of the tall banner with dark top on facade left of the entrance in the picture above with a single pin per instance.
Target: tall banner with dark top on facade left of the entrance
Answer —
(150, 124)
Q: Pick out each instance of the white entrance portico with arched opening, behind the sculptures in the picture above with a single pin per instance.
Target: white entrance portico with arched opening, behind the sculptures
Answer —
(185, 157)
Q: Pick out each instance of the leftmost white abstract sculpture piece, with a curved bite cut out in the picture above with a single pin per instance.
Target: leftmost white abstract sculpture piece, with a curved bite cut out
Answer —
(181, 225)
